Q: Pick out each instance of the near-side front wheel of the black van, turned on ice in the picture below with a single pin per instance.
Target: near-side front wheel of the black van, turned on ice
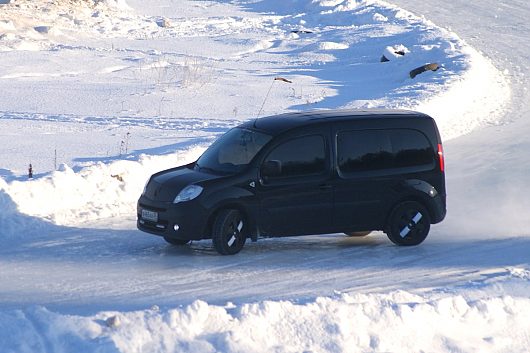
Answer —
(228, 232)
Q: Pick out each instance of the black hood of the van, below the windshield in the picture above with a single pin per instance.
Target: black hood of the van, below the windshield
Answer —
(165, 185)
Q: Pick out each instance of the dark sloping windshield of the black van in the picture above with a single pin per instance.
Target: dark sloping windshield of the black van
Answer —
(232, 152)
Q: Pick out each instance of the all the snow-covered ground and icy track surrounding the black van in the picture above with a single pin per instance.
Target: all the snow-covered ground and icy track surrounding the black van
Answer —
(99, 96)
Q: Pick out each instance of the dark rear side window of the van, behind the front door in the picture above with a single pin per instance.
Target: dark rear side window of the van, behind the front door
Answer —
(392, 151)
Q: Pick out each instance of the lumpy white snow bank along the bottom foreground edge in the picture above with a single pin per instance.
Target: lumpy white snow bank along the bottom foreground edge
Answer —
(397, 322)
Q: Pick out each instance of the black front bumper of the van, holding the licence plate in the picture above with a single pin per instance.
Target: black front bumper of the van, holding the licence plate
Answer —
(185, 221)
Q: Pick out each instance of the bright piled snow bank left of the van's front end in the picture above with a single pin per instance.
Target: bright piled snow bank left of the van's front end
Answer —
(98, 191)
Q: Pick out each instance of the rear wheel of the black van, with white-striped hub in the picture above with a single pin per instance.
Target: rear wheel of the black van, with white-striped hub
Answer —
(408, 224)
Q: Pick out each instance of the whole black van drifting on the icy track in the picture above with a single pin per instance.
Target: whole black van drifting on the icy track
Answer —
(302, 173)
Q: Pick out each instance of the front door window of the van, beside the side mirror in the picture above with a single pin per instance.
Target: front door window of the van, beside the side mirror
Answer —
(300, 156)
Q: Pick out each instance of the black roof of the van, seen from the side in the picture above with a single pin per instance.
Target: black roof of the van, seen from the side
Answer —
(276, 124)
